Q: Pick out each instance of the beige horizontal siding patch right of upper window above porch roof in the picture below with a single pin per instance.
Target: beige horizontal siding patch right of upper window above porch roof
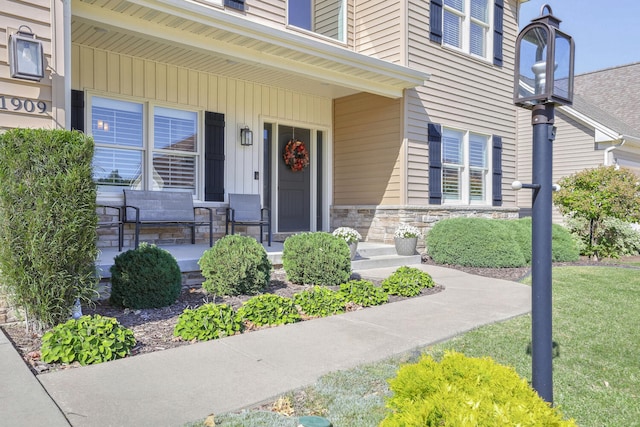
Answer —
(378, 29)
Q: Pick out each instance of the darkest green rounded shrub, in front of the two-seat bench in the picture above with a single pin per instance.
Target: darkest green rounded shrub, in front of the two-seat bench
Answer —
(147, 277)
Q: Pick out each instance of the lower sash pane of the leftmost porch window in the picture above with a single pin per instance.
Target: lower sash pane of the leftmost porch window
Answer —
(114, 169)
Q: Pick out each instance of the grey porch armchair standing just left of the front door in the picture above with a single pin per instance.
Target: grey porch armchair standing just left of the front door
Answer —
(245, 209)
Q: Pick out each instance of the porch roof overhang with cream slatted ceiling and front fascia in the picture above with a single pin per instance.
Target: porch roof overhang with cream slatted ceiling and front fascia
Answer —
(211, 39)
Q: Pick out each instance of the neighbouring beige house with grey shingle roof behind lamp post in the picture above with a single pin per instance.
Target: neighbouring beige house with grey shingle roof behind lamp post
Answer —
(601, 128)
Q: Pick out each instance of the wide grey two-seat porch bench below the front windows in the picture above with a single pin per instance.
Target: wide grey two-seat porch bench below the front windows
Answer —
(163, 208)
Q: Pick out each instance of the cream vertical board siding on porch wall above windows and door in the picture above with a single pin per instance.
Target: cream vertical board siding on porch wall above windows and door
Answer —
(242, 102)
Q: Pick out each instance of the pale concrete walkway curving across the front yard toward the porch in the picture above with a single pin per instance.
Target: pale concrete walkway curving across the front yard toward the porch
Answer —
(172, 387)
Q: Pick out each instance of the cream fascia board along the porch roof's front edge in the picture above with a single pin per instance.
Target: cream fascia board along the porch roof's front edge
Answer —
(221, 19)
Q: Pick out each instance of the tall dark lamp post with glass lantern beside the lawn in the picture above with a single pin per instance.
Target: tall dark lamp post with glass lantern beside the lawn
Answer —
(543, 79)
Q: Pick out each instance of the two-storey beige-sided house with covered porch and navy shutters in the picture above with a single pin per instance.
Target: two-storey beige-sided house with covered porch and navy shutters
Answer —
(404, 106)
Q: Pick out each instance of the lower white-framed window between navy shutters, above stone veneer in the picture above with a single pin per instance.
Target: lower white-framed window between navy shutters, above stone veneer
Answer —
(465, 167)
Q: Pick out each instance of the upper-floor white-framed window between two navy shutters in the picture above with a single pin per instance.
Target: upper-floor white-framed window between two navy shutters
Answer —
(467, 26)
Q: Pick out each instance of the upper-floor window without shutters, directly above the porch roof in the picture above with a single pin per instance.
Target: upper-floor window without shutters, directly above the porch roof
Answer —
(324, 17)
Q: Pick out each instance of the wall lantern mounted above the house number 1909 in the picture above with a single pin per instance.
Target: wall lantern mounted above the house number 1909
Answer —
(26, 57)
